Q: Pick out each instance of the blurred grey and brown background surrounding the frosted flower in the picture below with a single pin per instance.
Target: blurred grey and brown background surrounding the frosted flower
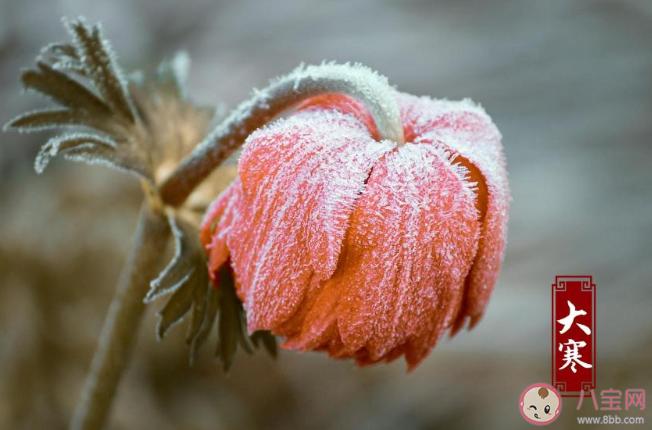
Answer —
(569, 84)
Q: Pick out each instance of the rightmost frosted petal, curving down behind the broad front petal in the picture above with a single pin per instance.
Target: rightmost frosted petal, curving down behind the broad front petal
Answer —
(467, 131)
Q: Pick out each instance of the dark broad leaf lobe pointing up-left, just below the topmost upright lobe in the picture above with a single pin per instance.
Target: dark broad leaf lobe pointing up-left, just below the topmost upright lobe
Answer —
(63, 89)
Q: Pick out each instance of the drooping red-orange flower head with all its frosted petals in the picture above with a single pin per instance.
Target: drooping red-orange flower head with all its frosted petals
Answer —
(363, 248)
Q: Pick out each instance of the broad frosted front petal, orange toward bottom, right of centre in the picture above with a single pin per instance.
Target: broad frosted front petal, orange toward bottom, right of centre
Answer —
(410, 245)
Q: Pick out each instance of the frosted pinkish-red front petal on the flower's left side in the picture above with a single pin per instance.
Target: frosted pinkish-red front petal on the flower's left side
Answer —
(300, 178)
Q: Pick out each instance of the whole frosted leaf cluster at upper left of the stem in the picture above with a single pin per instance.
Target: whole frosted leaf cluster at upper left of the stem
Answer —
(151, 122)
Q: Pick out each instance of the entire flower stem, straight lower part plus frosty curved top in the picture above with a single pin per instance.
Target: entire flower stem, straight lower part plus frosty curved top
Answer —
(120, 327)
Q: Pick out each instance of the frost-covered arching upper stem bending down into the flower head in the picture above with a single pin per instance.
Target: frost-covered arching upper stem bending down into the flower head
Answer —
(358, 81)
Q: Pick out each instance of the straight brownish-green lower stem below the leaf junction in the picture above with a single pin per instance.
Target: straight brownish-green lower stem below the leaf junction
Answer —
(121, 324)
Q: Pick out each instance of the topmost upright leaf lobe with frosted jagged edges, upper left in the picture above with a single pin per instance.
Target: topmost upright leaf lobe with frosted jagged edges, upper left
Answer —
(99, 61)
